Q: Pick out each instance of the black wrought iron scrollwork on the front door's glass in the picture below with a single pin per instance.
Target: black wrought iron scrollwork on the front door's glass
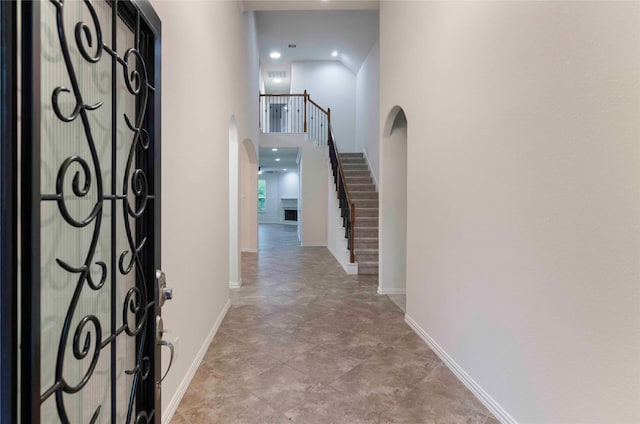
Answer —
(87, 339)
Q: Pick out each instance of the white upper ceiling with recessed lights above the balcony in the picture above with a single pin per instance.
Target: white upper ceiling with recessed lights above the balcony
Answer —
(316, 34)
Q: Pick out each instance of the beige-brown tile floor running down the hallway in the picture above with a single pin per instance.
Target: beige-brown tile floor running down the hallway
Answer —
(305, 343)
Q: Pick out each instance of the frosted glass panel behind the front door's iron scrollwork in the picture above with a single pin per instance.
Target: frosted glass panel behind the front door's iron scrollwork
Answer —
(82, 214)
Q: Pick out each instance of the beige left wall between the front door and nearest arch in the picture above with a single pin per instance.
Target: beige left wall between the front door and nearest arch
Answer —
(200, 92)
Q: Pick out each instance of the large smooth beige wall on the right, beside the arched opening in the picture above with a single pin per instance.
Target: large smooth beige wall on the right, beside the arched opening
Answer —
(523, 196)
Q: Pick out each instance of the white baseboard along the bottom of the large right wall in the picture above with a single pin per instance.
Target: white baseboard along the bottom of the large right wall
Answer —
(484, 397)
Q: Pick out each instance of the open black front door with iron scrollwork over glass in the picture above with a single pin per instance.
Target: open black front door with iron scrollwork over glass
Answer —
(90, 212)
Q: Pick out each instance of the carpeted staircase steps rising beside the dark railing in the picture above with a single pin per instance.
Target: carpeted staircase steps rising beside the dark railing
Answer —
(363, 194)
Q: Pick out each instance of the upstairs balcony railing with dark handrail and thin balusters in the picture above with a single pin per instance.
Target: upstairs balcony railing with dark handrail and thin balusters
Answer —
(294, 114)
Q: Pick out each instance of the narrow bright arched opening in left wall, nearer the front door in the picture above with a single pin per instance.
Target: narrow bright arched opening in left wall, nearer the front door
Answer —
(235, 279)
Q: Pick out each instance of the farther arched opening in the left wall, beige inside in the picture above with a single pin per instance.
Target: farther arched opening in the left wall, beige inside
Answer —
(248, 197)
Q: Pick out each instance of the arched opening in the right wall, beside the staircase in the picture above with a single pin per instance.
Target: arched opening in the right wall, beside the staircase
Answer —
(393, 207)
